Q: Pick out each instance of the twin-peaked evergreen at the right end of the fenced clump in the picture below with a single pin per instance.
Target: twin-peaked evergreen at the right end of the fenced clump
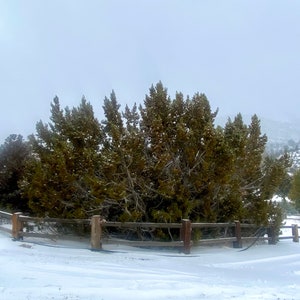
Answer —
(256, 177)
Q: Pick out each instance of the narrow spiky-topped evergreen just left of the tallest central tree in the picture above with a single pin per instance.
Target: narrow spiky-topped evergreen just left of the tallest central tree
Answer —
(122, 162)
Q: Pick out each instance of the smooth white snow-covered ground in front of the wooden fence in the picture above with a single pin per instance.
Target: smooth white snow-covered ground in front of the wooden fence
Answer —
(72, 271)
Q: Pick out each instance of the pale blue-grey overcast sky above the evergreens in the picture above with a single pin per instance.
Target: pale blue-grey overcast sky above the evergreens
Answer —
(244, 55)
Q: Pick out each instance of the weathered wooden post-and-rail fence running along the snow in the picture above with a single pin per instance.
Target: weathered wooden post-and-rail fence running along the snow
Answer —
(185, 228)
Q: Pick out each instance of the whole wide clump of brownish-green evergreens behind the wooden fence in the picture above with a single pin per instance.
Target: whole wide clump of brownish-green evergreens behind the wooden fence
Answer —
(162, 161)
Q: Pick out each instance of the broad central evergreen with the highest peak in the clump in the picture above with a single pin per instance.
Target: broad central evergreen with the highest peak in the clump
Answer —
(187, 158)
